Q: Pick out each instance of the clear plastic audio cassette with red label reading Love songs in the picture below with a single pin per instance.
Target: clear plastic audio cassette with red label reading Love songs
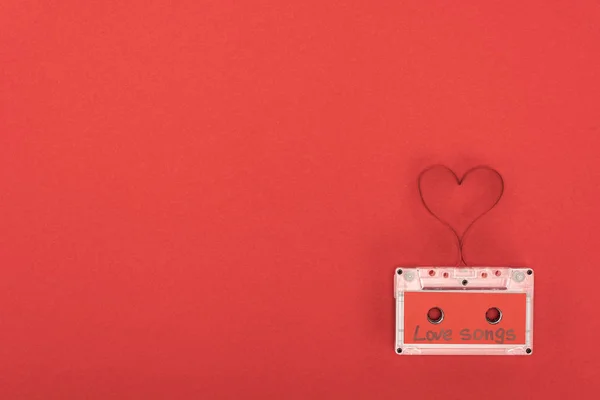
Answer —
(464, 310)
